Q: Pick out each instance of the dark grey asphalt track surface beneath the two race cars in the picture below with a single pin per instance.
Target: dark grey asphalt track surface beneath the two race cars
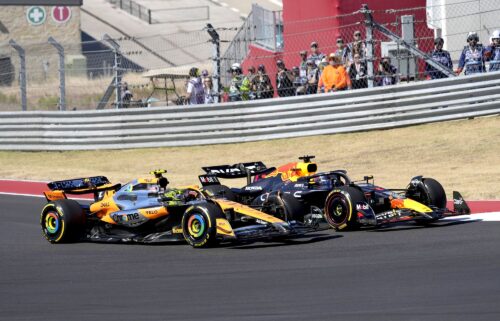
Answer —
(447, 272)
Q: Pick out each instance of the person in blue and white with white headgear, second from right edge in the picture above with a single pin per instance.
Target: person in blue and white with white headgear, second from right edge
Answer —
(472, 57)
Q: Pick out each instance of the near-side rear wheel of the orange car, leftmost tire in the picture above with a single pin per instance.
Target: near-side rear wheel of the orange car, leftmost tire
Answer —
(63, 221)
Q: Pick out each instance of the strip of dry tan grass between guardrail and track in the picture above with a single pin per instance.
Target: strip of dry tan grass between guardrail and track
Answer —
(462, 155)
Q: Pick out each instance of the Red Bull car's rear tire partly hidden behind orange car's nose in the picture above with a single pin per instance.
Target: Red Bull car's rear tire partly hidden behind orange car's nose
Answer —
(285, 207)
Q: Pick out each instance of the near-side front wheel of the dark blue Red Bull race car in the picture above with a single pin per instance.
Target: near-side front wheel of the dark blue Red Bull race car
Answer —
(340, 208)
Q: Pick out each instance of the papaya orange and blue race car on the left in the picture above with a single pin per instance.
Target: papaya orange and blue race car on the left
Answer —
(147, 211)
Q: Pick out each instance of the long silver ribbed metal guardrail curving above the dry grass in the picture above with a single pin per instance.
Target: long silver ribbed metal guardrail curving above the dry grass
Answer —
(357, 110)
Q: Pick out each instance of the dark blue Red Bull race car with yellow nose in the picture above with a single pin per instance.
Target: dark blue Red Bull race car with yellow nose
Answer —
(296, 192)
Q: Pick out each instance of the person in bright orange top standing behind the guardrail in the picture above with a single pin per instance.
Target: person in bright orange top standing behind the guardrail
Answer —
(334, 76)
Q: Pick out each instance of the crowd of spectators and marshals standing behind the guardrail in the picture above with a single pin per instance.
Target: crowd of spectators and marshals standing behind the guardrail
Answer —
(343, 69)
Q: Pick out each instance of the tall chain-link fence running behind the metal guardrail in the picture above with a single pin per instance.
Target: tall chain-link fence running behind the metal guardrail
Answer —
(156, 68)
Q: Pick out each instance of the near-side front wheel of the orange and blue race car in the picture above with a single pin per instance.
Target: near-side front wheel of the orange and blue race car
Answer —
(199, 225)
